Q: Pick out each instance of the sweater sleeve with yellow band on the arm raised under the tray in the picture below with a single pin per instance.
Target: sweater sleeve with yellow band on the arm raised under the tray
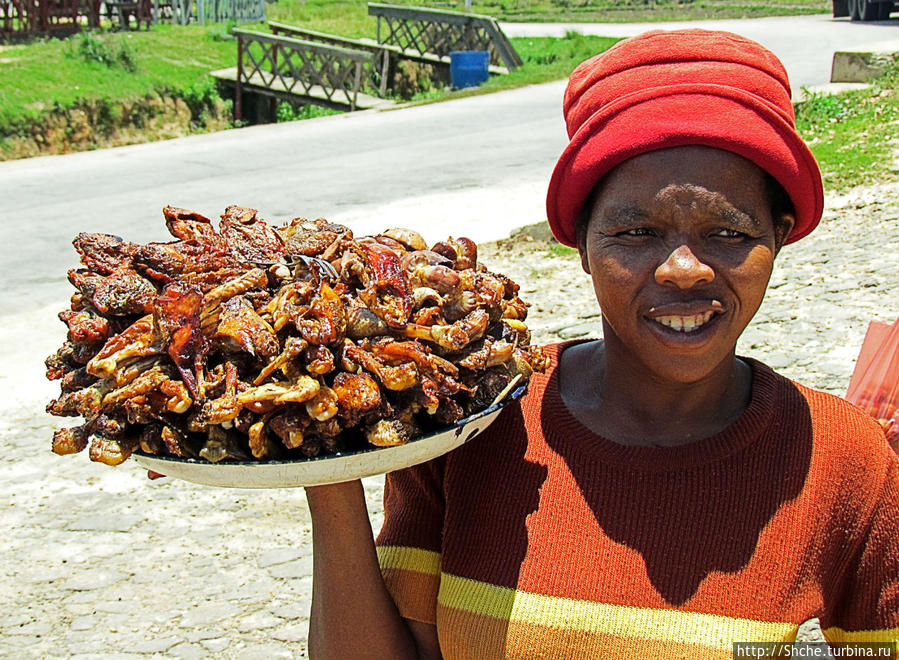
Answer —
(410, 540)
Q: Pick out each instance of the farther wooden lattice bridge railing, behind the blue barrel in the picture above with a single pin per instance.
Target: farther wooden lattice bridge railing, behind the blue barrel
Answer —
(436, 33)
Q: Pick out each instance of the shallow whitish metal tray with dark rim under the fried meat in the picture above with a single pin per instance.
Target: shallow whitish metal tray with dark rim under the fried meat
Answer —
(331, 468)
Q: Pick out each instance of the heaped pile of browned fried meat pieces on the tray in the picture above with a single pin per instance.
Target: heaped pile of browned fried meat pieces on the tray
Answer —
(249, 341)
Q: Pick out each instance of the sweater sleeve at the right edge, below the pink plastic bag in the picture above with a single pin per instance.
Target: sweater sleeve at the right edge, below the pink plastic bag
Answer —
(871, 607)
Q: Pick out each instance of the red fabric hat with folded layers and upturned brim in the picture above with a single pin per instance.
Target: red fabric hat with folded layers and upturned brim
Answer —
(678, 88)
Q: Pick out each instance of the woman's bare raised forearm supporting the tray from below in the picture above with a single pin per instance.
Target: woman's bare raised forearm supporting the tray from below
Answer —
(353, 615)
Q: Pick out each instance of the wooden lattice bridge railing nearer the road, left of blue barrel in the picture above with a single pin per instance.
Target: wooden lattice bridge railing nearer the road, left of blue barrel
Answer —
(287, 68)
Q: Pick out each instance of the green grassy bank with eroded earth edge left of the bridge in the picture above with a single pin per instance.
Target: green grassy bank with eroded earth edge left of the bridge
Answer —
(103, 89)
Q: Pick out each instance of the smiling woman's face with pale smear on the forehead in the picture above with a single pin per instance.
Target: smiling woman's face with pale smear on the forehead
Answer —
(680, 246)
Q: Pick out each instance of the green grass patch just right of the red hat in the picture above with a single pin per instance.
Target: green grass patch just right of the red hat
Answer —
(854, 135)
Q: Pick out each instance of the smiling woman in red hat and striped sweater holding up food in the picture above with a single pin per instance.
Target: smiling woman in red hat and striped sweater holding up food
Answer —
(654, 495)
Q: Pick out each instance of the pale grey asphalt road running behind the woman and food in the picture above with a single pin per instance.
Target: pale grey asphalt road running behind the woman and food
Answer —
(475, 167)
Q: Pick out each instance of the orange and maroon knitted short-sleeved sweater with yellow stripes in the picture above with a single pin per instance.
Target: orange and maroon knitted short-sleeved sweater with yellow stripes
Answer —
(540, 539)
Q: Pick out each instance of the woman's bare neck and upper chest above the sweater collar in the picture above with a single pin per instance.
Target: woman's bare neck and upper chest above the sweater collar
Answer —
(616, 398)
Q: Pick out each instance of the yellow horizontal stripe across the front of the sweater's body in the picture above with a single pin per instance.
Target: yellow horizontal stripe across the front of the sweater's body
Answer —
(709, 630)
